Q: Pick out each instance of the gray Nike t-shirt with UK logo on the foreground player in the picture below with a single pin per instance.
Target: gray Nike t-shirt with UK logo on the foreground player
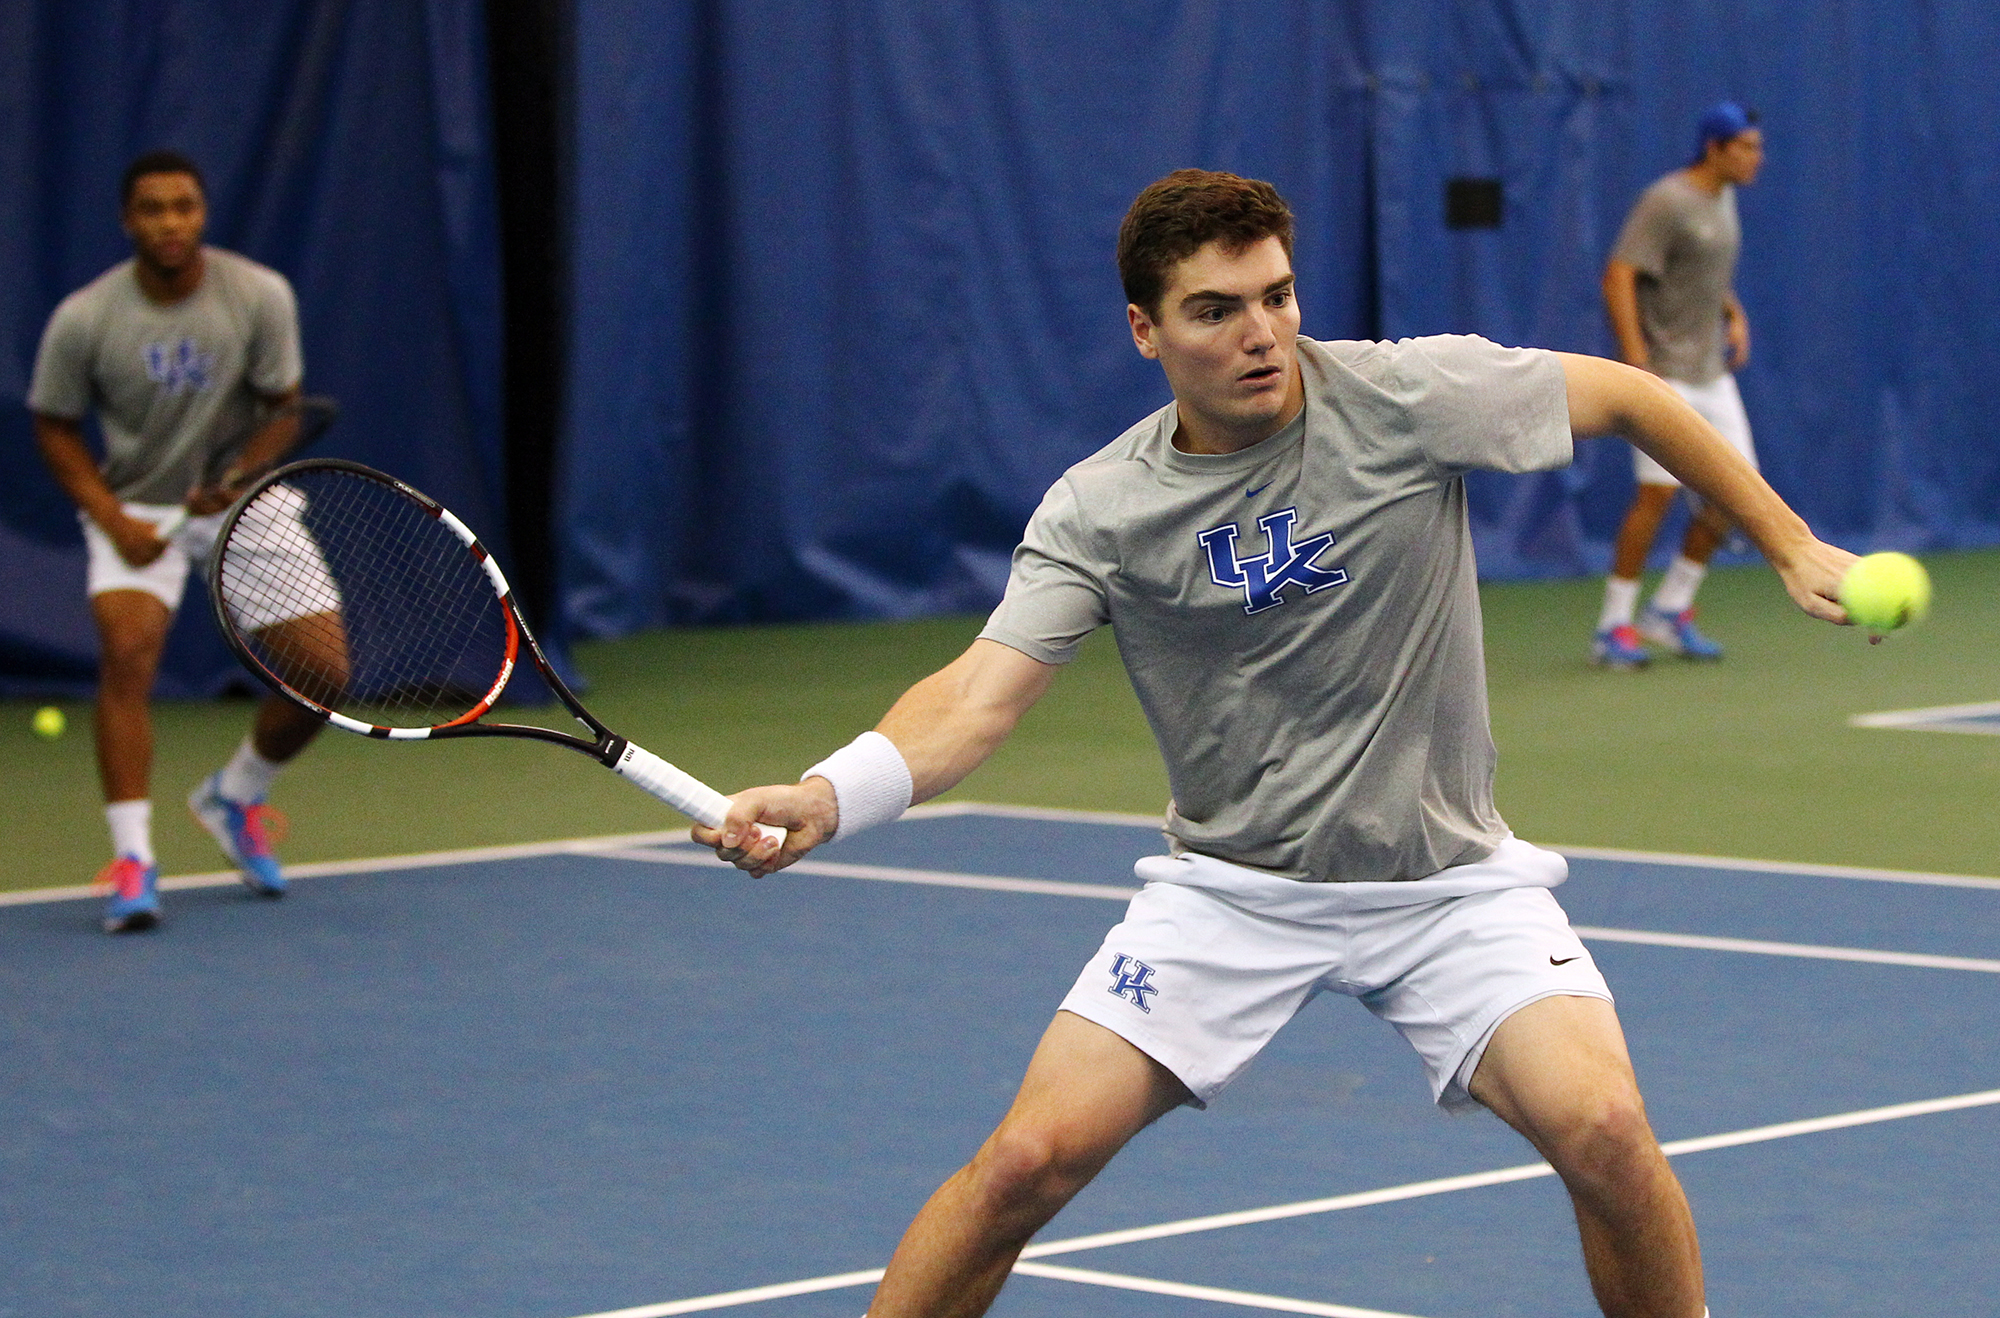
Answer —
(1301, 619)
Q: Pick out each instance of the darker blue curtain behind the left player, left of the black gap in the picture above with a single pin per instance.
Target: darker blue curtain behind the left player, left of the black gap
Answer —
(345, 145)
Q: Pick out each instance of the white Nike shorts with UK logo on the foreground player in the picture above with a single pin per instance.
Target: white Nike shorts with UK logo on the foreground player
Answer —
(1213, 959)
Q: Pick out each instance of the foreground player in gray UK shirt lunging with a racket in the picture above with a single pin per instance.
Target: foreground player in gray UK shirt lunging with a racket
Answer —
(1285, 561)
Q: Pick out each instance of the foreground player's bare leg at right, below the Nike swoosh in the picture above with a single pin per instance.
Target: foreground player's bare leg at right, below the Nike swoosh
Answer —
(1559, 1073)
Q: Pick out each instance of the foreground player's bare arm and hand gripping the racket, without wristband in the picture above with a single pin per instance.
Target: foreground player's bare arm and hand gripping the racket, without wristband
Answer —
(945, 727)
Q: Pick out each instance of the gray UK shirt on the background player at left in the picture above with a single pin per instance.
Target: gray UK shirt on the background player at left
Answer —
(171, 385)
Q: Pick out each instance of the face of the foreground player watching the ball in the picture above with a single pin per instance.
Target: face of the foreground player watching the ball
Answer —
(1227, 337)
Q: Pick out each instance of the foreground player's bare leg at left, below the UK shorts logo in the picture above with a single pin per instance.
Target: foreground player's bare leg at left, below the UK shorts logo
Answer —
(1085, 1095)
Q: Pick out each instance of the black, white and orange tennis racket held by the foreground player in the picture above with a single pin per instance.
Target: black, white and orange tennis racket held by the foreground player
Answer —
(371, 605)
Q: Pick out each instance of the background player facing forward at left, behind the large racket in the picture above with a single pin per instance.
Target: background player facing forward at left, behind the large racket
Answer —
(179, 351)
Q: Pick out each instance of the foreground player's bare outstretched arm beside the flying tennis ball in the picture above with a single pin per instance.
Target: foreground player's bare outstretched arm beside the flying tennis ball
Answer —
(1613, 399)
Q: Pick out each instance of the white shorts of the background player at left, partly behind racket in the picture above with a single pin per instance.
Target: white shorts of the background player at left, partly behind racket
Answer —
(167, 577)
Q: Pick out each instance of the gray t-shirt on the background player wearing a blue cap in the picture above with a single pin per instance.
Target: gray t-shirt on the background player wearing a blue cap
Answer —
(1685, 245)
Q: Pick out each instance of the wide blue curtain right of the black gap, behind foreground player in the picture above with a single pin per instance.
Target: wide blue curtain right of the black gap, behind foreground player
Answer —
(845, 297)
